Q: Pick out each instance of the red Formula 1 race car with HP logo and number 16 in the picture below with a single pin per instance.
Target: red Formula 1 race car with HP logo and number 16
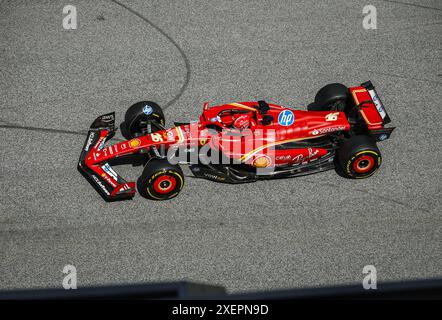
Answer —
(239, 142)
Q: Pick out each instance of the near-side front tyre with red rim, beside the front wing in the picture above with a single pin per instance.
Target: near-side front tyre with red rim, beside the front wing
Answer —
(160, 180)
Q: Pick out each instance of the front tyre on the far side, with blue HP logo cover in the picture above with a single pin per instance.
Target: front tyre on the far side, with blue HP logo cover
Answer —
(136, 117)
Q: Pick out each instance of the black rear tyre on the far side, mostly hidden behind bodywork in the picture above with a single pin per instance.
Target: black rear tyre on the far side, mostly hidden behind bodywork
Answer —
(331, 97)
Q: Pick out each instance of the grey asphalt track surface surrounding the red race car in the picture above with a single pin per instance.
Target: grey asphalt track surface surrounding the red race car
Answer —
(309, 231)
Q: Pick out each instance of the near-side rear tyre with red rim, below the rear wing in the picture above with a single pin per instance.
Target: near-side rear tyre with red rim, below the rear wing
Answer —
(359, 157)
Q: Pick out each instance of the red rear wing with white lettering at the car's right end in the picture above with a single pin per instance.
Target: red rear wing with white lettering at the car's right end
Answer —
(372, 110)
